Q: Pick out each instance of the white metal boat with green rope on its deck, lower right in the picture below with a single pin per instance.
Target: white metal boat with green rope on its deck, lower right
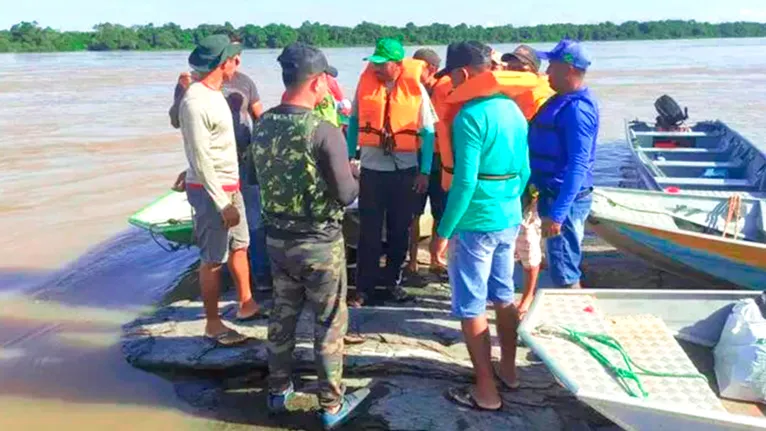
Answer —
(668, 333)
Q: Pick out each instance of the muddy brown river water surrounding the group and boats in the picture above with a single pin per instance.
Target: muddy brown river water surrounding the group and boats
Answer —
(86, 141)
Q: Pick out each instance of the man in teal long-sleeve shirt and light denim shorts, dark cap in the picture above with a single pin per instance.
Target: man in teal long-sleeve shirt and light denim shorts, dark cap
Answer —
(482, 220)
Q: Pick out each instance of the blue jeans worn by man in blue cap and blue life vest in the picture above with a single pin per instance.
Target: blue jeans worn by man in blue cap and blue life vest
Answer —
(565, 250)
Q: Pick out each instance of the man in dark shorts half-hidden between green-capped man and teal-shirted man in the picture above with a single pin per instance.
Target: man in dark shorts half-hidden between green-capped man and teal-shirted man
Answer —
(435, 194)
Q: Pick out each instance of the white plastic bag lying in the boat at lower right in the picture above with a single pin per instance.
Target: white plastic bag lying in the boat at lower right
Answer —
(740, 356)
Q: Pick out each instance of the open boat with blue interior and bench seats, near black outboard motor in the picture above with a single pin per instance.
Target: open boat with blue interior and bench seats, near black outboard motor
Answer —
(708, 158)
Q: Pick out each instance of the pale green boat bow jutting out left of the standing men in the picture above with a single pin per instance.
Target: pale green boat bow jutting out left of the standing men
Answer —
(169, 217)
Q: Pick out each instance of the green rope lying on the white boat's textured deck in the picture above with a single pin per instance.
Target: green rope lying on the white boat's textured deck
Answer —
(624, 374)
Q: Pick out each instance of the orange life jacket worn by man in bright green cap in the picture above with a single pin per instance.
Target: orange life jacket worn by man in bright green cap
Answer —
(391, 120)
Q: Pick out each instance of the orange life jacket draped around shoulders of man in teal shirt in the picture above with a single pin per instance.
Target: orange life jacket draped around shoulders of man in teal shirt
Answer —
(510, 84)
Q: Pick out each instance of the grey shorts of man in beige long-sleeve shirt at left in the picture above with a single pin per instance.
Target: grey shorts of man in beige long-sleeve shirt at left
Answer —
(213, 240)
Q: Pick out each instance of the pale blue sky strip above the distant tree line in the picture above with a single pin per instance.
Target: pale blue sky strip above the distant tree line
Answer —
(83, 14)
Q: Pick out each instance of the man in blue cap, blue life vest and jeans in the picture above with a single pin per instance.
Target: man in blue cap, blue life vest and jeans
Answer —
(562, 149)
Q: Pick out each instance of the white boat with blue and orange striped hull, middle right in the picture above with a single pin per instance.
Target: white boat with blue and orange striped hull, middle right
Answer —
(687, 235)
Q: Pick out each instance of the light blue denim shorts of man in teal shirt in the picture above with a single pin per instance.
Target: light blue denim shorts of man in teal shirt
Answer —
(480, 269)
